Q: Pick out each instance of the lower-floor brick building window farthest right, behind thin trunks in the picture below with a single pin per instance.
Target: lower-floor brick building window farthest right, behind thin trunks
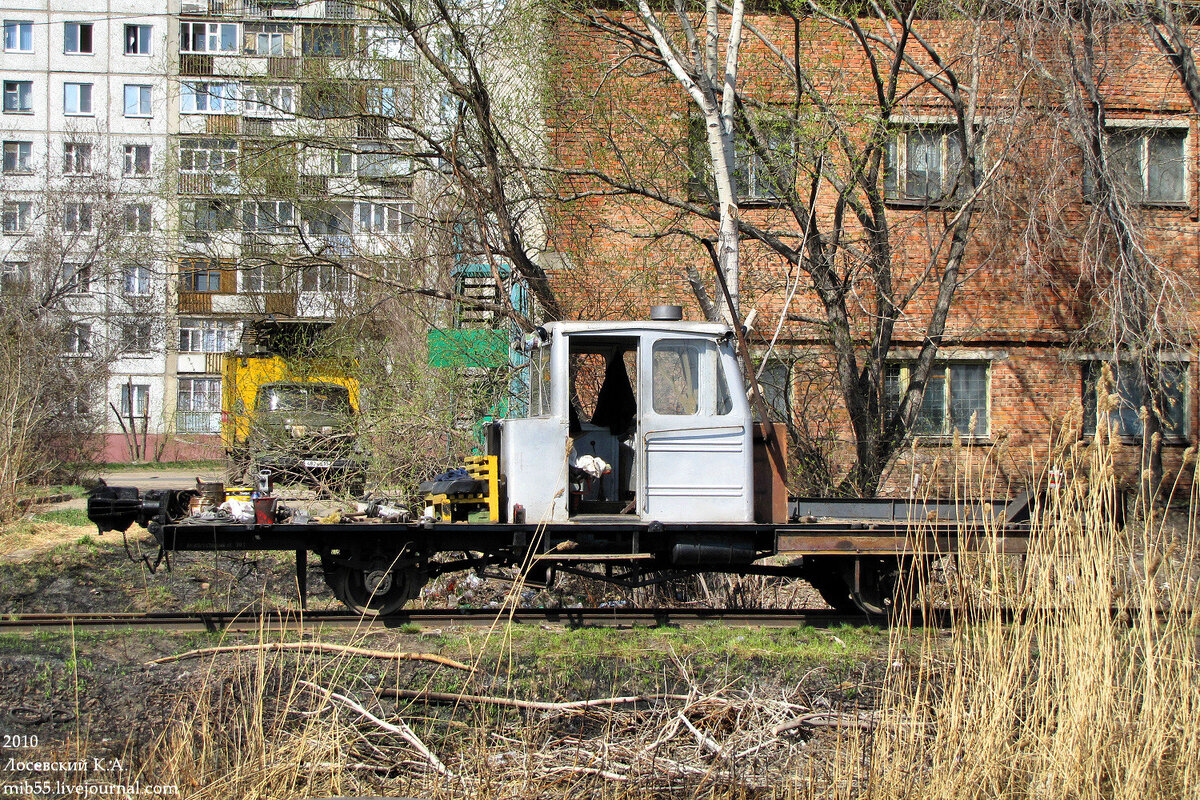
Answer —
(1131, 392)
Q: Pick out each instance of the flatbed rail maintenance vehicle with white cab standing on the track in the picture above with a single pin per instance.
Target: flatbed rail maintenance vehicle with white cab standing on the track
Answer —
(638, 453)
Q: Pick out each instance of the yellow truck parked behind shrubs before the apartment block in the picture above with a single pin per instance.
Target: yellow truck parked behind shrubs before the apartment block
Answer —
(295, 418)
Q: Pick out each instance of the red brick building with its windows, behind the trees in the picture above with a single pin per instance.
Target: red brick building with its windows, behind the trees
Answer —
(1024, 342)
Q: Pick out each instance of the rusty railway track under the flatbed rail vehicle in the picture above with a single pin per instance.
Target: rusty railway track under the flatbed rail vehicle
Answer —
(291, 621)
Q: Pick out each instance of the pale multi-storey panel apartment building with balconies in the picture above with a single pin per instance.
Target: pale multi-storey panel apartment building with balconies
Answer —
(159, 188)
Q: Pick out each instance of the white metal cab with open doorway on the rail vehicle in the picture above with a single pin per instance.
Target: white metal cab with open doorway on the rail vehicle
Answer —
(661, 405)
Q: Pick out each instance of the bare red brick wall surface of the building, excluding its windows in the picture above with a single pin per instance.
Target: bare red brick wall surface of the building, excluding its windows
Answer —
(1024, 298)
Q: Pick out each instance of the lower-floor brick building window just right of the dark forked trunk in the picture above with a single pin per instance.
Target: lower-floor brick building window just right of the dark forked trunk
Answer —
(956, 395)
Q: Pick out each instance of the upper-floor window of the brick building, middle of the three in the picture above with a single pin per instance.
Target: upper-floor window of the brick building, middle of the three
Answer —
(923, 165)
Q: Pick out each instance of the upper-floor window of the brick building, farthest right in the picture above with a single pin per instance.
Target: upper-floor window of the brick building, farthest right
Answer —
(1148, 165)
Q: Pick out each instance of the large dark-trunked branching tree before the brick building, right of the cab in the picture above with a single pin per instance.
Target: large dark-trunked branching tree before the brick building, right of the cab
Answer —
(827, 163)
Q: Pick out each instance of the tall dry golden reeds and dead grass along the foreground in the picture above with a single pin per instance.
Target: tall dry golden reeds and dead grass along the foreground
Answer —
(1067, 702)
